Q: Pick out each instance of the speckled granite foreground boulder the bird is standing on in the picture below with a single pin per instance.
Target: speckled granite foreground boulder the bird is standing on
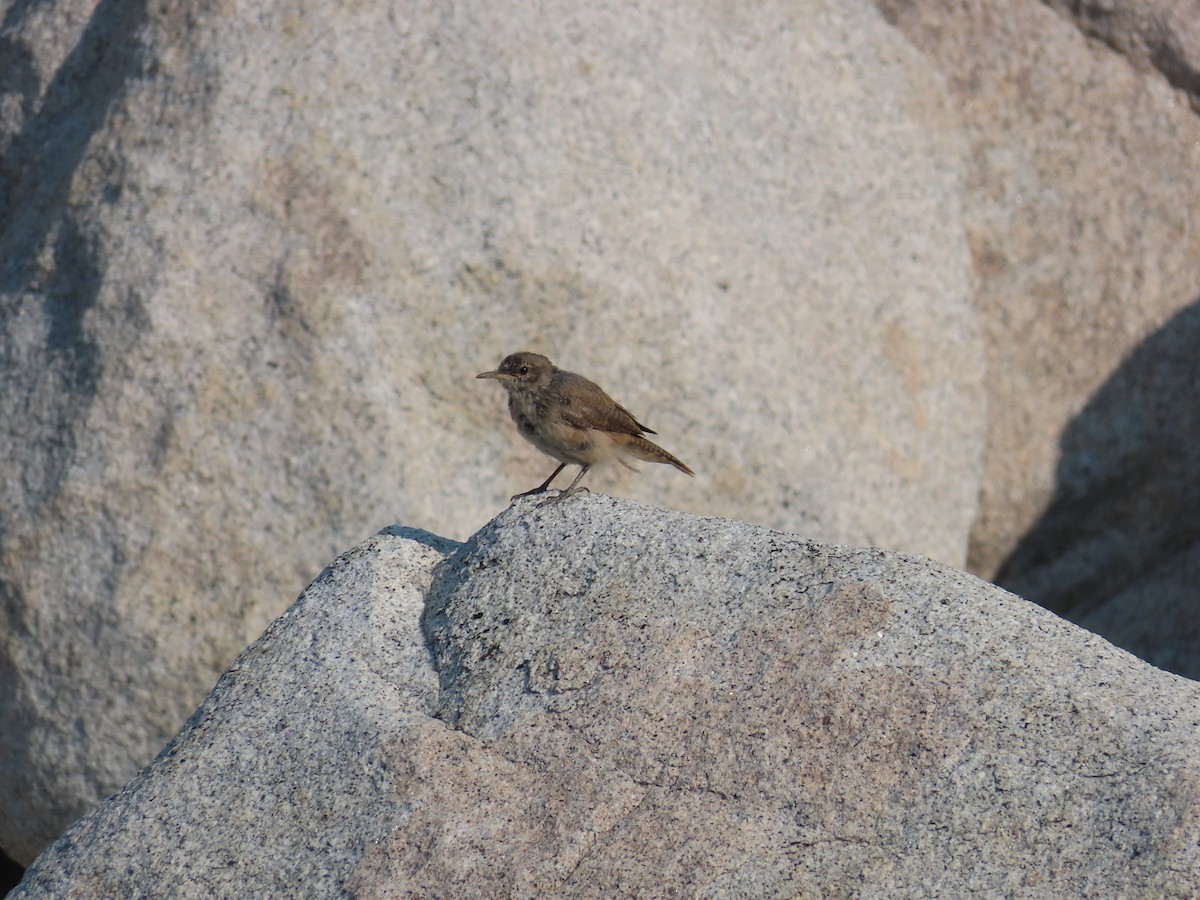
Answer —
(599, 699)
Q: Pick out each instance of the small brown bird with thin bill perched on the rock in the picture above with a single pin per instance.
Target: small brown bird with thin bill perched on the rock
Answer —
(572, 419)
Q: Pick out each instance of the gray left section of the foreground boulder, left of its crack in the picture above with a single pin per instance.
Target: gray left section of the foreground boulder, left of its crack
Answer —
(296, 739)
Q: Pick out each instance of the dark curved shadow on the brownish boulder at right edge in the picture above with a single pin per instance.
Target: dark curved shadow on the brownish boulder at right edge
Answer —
(1119, 547)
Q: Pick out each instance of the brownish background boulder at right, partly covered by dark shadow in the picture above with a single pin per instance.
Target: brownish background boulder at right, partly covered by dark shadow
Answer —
(1081, 203)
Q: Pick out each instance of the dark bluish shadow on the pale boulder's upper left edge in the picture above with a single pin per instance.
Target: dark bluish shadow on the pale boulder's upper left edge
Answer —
(40, 164)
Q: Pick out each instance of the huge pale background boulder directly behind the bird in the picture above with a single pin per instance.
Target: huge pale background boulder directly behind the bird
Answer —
(253, 255)
